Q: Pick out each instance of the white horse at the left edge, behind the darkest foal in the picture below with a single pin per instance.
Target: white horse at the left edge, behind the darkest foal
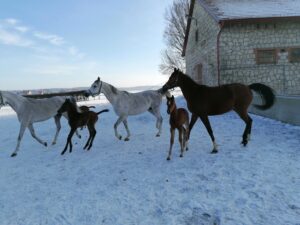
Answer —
(31, 110)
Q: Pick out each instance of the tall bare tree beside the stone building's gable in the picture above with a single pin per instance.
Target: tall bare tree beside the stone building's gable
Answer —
(176, 22)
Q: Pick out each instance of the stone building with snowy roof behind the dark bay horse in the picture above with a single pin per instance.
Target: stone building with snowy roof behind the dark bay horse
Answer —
(247, 41)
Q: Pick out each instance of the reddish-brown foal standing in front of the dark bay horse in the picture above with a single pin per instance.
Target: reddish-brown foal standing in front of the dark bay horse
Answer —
(179, 119)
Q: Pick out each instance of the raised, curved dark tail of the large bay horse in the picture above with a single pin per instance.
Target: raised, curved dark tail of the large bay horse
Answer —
(266, 93)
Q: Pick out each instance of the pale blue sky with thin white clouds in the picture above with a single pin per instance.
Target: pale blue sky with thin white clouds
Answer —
(49, 44)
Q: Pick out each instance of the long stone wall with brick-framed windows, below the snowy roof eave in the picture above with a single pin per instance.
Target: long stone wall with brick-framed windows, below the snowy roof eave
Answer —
(238, 63)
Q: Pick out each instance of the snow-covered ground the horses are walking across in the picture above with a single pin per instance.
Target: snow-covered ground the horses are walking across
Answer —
(132, 183)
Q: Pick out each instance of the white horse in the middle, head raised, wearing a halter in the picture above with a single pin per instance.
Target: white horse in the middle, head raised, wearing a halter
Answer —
(127, 104)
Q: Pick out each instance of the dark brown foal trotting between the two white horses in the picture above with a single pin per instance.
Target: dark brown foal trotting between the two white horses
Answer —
(76, 120)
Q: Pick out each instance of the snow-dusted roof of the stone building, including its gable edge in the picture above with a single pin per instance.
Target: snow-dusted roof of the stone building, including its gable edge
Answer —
(223, 11)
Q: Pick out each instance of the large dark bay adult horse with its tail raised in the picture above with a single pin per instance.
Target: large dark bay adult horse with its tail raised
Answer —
(204, 101)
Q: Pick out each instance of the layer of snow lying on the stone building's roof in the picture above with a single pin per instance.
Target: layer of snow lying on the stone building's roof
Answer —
(243, 9)
